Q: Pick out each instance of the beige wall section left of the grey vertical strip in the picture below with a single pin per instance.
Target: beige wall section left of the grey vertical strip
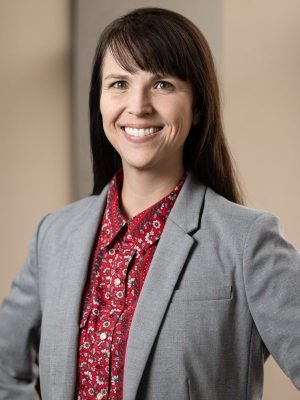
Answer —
(34, 123)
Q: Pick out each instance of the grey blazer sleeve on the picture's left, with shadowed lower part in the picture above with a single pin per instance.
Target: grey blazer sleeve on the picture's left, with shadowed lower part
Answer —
(20, 318)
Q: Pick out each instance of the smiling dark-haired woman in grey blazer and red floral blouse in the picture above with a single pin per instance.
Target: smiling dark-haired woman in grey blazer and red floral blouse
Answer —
(161, 285)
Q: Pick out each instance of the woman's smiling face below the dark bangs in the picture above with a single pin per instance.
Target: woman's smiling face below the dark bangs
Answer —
(146, 117)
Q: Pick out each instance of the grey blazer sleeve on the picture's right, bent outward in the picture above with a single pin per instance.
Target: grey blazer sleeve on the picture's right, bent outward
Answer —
(271, 267)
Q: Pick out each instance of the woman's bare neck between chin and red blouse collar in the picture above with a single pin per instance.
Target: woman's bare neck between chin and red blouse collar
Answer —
(141, 189)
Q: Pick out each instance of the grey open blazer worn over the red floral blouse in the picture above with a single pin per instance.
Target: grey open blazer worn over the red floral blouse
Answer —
(223, 291)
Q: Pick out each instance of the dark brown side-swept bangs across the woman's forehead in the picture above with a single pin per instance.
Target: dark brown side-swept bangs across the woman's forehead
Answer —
(149, 47)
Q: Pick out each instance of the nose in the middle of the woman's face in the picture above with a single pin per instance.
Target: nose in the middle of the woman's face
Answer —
(139, 102)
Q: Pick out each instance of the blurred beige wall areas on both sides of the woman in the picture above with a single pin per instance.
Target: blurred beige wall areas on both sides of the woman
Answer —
(260, 80)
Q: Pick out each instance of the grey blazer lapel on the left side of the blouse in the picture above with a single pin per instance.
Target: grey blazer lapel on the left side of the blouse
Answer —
(64, 345)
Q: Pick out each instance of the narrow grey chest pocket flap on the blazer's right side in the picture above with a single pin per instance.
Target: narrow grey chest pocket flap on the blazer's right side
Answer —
(202, 293)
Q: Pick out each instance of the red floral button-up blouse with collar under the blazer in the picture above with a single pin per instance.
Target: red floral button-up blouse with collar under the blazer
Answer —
(121, 259)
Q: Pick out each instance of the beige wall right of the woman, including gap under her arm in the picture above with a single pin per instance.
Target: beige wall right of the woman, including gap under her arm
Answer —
(261, 85)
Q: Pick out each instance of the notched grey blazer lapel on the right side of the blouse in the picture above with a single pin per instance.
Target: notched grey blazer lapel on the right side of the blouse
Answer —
(169, 258)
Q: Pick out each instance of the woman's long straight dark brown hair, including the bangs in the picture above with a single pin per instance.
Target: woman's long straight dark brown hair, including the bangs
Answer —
(163, 41)
